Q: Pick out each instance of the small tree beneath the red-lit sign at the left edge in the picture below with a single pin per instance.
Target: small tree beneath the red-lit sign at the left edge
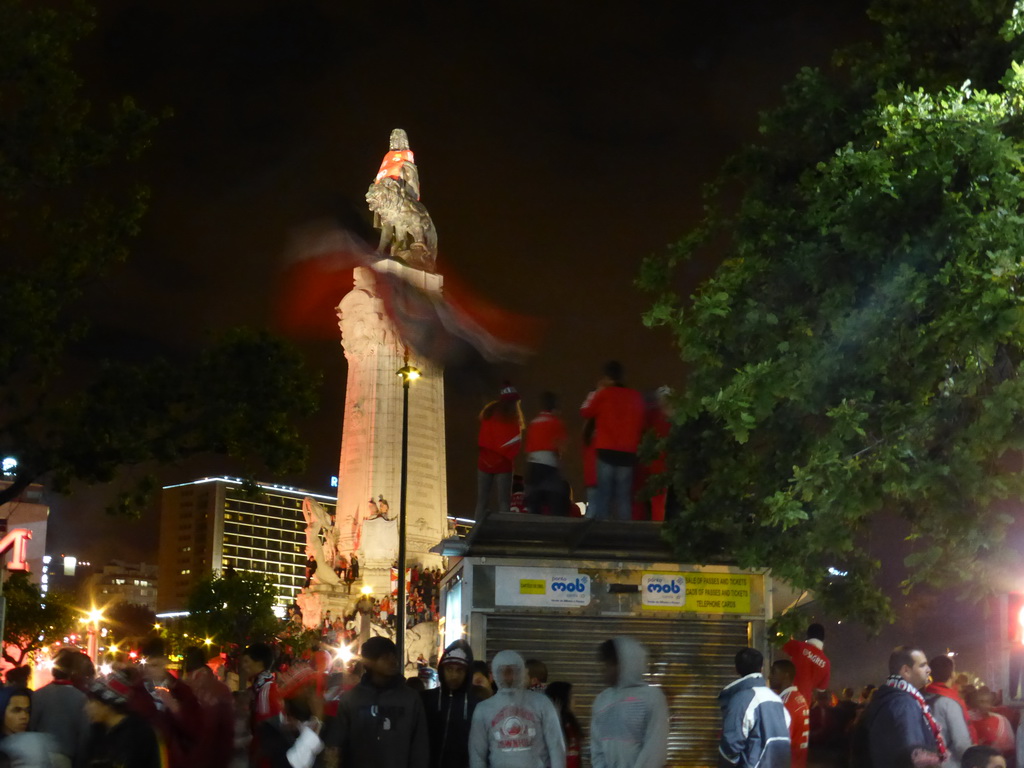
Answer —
(30, 618)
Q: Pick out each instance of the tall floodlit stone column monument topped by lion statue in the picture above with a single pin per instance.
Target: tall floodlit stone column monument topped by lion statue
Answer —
(371, 444)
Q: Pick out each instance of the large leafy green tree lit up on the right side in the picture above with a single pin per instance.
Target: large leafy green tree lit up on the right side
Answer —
(858, 356)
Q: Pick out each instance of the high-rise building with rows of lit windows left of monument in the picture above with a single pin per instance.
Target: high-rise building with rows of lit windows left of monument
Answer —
(215, 524)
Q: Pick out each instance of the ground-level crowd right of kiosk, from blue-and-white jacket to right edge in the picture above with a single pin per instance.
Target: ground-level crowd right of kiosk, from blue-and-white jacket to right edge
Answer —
(923, 715)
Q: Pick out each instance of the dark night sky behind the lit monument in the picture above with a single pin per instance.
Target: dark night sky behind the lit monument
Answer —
(559, 144)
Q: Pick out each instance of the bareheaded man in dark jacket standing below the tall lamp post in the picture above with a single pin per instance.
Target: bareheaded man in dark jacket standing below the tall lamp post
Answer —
(380, 722)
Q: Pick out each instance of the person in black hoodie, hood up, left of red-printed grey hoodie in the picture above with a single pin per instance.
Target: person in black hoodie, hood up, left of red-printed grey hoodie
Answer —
(450, 708)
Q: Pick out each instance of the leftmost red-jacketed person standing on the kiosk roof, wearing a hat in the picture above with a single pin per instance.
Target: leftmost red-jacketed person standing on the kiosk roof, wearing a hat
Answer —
(499, 443)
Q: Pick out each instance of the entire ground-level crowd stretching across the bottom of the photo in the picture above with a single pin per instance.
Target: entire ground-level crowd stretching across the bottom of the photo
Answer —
(503, 715)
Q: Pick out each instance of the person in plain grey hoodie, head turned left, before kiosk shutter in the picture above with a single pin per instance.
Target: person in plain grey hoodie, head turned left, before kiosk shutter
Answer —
(629, 726)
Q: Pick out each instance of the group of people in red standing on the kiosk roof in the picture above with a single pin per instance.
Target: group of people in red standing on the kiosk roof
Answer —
(616, 420)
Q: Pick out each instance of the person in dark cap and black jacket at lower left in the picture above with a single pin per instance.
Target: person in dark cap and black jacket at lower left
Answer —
(122, 739)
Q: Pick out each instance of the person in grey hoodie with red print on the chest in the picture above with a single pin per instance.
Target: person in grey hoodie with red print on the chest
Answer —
(516, 729)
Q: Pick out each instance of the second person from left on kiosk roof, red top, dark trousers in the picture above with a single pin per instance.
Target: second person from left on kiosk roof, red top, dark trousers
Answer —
(546, 437)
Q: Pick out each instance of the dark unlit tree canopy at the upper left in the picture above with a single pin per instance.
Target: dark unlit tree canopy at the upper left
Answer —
(65, 224)
